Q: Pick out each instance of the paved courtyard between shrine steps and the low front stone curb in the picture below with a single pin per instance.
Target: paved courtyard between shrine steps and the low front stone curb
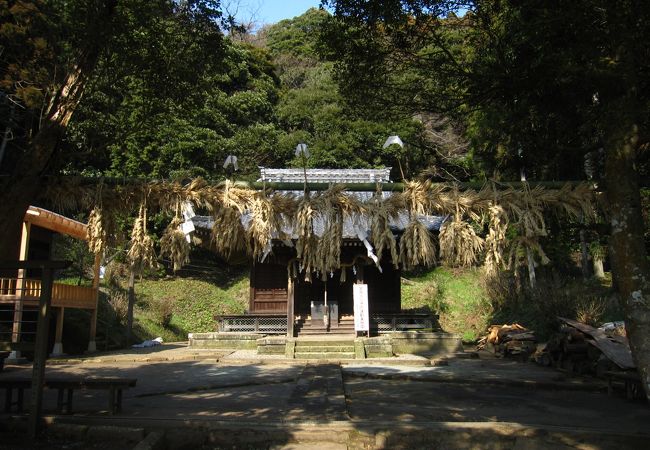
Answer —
(179, 386)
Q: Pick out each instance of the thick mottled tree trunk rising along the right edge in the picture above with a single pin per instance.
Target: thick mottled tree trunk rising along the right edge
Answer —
(628, 253)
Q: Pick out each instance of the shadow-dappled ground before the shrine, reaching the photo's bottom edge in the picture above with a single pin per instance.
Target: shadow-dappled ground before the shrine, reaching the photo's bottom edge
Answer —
(360, 404)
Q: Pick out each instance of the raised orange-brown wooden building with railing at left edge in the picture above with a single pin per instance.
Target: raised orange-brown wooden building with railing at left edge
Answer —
(23, 289)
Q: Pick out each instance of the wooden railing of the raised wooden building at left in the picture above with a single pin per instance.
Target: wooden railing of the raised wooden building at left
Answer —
(63, 295)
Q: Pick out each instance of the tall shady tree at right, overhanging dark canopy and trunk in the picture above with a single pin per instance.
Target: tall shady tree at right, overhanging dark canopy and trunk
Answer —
(541, 83)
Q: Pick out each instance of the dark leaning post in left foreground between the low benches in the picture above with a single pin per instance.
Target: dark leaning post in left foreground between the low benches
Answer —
(40, 353)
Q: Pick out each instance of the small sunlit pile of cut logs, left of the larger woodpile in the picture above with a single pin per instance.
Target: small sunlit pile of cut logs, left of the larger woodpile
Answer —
(509, 340)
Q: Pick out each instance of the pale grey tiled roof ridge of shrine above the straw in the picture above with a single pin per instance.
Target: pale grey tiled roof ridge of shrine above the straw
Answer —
(339, 176)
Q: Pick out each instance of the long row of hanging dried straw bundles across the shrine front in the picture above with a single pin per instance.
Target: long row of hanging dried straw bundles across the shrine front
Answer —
(275, 215)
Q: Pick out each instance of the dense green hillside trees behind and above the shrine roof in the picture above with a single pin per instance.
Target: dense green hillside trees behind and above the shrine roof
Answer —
(170, 99)
